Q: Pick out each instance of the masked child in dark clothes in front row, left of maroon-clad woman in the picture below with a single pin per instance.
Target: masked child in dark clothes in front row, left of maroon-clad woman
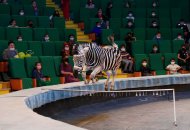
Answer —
(38, 75)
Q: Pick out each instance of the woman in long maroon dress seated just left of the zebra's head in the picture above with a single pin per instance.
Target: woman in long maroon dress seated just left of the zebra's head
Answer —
(67, 71)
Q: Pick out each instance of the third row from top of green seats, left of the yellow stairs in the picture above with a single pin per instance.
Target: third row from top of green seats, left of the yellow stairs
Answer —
(35, 34)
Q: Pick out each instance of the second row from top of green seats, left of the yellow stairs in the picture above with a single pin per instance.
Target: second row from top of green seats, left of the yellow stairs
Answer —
(38, 21)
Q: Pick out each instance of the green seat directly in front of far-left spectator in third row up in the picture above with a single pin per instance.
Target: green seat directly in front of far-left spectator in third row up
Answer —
(12, 33)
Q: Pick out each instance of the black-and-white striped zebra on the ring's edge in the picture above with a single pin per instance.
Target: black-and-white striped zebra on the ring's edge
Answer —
(96, 58)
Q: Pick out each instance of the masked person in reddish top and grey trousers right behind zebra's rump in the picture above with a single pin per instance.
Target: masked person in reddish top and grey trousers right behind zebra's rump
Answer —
(127, 62)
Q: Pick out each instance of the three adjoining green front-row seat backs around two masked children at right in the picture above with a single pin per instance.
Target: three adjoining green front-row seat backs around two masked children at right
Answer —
(157, 62)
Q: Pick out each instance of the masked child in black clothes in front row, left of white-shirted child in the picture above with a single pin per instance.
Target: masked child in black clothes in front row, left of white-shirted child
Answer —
(145, 70)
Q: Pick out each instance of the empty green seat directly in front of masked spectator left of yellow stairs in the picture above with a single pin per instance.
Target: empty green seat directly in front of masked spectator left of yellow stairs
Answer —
(48, 48)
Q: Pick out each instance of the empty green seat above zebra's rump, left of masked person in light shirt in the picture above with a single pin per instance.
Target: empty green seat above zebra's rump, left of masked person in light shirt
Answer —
(115, 25)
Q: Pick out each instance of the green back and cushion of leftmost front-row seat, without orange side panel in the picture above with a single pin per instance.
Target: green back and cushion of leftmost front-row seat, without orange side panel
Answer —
(17, 70)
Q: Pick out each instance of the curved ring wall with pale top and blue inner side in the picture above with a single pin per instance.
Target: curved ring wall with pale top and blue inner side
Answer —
(17, 112)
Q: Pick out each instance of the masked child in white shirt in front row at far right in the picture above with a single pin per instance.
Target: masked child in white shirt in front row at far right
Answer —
(173, 67)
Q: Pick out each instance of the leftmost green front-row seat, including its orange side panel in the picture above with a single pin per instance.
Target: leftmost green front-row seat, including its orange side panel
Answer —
(18, 72)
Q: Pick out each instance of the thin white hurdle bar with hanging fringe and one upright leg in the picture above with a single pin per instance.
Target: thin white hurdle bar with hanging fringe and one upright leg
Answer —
(138, 93)
